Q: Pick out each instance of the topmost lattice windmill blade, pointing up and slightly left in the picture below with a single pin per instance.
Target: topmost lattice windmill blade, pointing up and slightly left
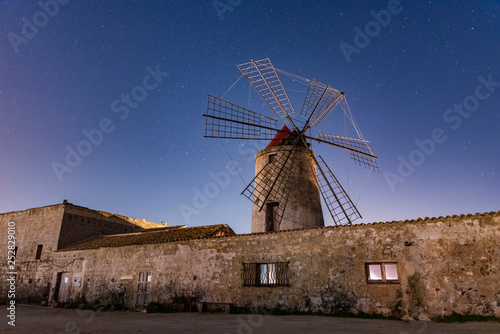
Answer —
(263, 77)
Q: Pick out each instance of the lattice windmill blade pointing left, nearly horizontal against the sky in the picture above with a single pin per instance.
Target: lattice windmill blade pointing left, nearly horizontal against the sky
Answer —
(227, 120)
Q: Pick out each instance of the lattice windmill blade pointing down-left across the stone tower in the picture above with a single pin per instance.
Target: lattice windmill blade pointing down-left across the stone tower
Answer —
(274, 182)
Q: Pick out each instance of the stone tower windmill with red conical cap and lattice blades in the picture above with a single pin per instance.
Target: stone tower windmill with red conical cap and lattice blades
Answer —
(289, 176)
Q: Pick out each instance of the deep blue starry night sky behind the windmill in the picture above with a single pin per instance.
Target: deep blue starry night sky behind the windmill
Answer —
(421, 78)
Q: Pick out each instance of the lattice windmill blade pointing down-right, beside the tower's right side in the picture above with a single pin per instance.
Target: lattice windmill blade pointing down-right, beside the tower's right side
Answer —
(343, 211)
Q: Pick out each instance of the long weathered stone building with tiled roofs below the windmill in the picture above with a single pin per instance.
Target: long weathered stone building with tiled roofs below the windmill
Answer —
(416, 268)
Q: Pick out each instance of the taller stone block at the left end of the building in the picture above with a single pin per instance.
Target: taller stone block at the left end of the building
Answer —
(53, 227)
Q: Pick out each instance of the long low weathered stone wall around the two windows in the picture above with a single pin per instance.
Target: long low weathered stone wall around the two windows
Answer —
(445, 265)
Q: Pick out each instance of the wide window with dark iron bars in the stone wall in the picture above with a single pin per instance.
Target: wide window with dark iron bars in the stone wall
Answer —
(265, 274)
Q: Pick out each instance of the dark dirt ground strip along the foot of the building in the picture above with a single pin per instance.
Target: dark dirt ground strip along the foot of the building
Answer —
(36, 319)
